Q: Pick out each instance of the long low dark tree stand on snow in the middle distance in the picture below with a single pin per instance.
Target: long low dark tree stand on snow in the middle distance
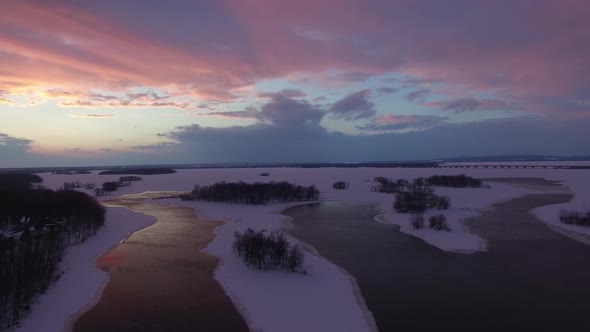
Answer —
(256, 193)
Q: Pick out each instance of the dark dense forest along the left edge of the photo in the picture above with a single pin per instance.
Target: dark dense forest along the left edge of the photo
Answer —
(36, 225)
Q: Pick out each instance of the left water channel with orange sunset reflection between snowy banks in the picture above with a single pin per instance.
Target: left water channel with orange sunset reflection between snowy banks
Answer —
(161, 281)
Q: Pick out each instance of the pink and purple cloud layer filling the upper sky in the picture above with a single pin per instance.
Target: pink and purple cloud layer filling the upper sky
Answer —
(539, 50)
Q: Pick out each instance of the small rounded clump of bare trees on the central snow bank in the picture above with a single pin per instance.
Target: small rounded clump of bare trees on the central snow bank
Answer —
(267, 251)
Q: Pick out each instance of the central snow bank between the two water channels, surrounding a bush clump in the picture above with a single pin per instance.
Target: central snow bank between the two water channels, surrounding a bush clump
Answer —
(326, 299)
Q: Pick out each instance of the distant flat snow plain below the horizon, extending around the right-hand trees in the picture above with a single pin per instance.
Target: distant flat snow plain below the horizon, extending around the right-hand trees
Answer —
(465, 202)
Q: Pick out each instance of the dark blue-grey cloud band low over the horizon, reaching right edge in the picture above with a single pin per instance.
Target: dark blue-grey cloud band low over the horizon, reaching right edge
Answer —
(255, 143)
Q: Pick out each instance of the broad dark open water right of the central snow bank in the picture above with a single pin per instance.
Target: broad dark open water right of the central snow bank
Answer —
(531, 279)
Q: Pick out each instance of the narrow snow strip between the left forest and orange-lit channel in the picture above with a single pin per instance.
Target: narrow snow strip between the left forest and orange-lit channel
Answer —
(81, 284)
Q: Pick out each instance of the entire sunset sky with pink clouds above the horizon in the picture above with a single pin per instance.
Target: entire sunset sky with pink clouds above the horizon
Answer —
(108, 82)
